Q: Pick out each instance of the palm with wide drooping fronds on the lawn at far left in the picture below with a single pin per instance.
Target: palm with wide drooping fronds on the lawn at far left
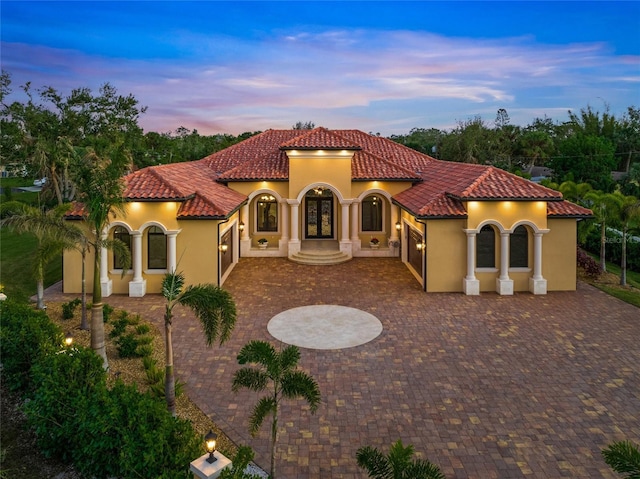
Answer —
(52, 233)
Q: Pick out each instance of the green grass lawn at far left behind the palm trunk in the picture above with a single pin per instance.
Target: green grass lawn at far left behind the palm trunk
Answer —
(16, 266)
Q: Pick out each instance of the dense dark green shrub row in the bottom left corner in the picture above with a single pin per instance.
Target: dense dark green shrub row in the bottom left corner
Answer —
(105, 432)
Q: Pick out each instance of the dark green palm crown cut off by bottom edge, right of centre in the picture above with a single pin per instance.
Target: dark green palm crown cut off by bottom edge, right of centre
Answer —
(397, 464)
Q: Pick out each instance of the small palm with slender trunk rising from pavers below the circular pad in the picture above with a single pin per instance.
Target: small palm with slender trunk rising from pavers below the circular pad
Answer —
(276, 371)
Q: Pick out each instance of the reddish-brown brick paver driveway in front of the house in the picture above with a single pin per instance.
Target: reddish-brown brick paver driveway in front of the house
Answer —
(485, 386)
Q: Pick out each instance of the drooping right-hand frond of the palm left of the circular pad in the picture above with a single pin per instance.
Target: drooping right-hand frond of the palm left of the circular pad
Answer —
(215, 309)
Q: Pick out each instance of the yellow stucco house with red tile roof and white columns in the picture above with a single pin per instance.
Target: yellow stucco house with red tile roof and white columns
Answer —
(325, 196)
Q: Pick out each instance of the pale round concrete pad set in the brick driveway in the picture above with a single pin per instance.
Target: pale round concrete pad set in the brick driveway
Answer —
(324, 327)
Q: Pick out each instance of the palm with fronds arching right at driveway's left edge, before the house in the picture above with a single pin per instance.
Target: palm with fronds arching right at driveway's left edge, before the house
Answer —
(212, 305)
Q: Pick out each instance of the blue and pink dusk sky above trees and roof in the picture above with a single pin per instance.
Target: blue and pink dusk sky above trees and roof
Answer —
(380, 67)
